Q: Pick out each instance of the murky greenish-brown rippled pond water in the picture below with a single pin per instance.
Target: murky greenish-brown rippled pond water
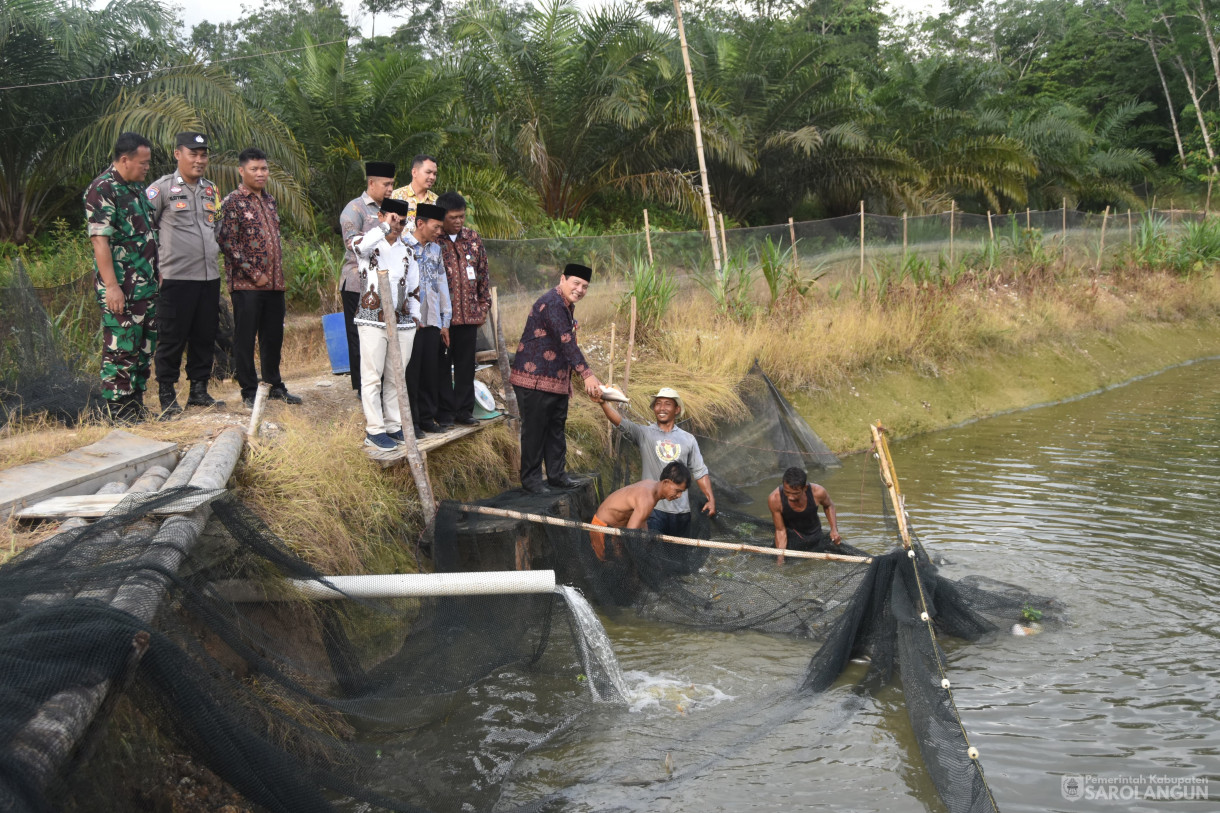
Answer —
(1107, 504)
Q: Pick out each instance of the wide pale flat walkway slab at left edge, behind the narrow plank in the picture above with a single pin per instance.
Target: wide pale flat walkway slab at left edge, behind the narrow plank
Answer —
(120, 456)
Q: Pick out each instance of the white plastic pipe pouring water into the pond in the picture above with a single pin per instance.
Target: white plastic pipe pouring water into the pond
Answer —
(496, 583)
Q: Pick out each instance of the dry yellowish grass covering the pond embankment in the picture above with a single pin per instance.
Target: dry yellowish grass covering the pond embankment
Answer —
(922, 358)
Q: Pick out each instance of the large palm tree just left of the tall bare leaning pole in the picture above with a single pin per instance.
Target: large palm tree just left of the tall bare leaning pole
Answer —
(568, 102)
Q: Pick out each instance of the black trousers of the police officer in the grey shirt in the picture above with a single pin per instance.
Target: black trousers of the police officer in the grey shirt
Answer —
(188, 317)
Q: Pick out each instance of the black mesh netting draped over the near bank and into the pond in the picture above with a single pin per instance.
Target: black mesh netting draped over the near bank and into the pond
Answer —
(310, 705)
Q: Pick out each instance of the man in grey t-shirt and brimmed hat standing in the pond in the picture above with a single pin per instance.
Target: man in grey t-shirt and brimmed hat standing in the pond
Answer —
(662, 444)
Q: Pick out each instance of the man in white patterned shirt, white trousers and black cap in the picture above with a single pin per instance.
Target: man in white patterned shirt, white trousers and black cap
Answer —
(382, 247)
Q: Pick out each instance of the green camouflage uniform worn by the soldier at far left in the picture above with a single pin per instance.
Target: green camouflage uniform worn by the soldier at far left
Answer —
(123, 213)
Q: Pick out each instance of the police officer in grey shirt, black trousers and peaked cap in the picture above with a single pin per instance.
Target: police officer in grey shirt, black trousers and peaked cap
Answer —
(187, 212)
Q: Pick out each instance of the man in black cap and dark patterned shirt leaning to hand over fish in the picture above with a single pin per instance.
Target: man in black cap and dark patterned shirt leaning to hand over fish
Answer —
(542, 379)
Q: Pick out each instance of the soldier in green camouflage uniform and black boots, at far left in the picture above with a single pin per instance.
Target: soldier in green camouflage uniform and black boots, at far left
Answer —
(125, 251)
